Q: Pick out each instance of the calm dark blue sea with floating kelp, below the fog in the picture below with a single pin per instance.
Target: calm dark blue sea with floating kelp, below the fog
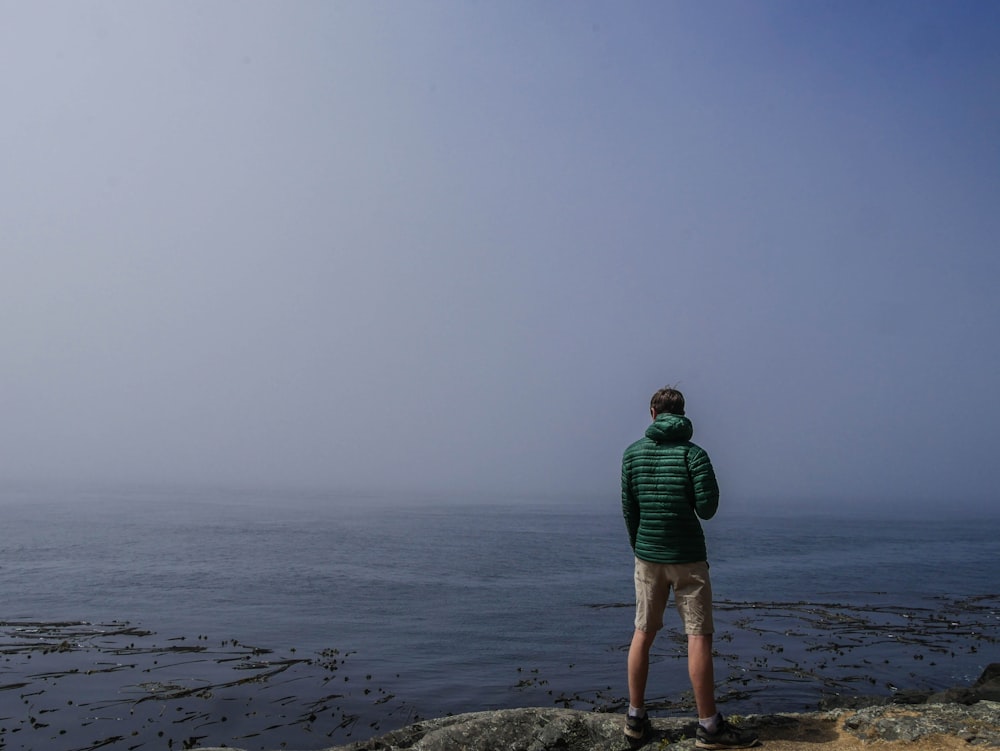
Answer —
(169, 618)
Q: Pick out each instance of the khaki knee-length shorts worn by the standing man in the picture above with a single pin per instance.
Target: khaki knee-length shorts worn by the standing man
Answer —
(692, 595)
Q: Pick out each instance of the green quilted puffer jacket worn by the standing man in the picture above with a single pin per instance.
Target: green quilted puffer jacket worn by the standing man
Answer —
(667, 484)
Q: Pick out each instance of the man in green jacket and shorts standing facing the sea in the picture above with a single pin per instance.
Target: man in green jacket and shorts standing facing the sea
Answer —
(668, 483)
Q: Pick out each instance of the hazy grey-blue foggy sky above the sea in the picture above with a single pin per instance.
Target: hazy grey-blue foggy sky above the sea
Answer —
(457, 245)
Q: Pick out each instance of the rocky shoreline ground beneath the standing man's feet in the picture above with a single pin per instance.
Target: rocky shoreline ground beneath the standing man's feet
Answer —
(953, 719)
